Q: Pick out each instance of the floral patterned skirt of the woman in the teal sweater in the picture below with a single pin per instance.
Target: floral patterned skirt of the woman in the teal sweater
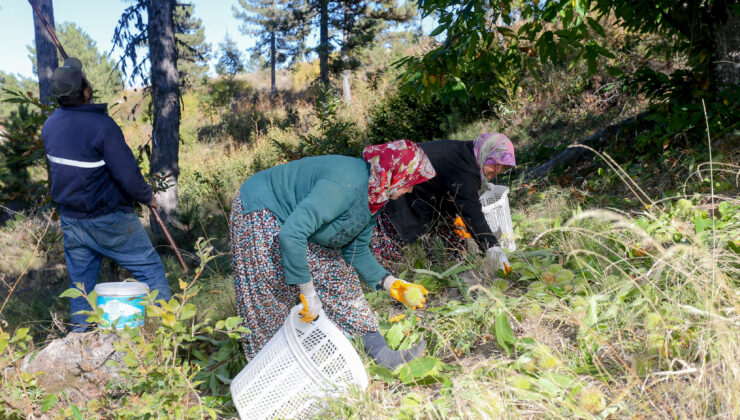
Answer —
(264, 299)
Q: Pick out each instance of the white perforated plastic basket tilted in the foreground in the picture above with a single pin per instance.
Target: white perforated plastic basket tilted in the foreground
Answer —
(299, 367)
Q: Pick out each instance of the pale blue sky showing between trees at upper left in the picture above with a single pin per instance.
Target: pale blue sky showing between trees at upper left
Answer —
(98, 18)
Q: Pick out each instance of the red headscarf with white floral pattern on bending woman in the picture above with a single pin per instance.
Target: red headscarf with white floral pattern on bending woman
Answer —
(399, 164)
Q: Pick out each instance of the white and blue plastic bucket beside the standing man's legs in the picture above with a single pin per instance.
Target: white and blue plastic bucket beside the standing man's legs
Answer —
(122, 302)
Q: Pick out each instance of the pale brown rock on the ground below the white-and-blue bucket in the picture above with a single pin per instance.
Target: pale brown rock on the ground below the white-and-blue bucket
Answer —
(76, 364)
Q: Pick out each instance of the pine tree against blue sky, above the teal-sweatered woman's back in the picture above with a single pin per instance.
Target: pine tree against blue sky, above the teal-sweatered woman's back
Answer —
(279, 31)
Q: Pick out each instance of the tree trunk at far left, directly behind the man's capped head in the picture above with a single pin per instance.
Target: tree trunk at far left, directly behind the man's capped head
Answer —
(46, 51)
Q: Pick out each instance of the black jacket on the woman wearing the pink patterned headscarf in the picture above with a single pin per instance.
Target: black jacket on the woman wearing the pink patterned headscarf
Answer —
(453, 191)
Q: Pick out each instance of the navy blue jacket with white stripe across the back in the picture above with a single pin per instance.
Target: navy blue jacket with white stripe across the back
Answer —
(93, 171)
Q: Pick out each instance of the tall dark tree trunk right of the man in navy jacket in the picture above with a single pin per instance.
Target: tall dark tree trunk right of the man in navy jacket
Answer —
(166, 101)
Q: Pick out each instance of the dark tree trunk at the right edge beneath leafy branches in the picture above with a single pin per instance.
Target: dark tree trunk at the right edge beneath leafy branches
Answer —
(727, 51)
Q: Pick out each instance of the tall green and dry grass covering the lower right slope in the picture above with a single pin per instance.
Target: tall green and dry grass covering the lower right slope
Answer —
(653, 335)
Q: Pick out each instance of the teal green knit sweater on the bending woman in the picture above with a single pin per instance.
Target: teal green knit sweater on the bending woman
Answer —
(320, 199)
